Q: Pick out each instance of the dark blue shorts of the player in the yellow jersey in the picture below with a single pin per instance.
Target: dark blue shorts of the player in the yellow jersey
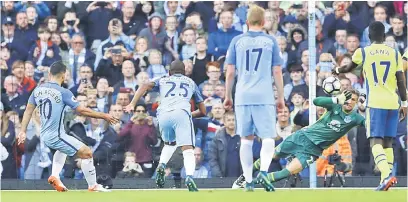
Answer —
(381, 122)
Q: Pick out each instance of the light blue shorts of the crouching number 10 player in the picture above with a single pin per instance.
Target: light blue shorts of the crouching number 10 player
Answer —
(64, 143)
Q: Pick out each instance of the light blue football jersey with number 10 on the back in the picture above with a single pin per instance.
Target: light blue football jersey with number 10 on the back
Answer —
(52, 100)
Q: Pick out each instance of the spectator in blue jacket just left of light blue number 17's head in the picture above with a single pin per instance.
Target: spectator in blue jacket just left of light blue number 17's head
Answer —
(219, 40)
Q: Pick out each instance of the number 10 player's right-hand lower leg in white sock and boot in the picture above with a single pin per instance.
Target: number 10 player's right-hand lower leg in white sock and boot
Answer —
(88, 168)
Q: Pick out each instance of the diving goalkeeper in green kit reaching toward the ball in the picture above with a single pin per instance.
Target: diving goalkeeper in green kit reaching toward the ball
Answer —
(307, 144)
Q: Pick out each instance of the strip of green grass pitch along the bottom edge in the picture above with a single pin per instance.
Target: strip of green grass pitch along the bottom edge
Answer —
(319, 195)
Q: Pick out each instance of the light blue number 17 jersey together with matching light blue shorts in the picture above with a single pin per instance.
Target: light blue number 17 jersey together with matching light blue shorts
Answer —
(254, 54)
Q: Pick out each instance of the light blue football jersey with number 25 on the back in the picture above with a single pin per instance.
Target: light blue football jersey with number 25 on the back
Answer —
(176, 92)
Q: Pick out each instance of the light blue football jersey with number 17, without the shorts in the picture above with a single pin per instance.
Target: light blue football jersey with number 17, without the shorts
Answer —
(254, 54)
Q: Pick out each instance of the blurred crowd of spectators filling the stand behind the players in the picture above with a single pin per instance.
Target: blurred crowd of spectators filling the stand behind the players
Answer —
(111, 48)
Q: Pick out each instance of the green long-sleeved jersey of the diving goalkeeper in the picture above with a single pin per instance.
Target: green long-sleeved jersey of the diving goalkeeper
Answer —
(332, 125)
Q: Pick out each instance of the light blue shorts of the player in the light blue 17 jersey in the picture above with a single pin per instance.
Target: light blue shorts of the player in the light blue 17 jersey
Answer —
(256, 119)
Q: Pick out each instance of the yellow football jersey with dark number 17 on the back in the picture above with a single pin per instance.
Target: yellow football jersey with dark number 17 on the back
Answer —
(380, 64)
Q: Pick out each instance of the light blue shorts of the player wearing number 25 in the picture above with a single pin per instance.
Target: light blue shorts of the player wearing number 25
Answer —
(177, 126)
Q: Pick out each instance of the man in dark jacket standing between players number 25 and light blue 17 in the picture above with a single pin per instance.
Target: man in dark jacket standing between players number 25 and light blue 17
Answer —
(224, 150)
